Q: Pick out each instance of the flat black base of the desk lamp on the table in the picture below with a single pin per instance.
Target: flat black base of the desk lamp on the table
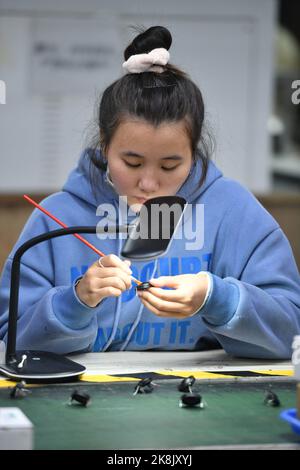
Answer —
(41, 366)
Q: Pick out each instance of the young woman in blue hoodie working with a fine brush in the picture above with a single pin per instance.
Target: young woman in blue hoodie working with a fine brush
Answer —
(237, 288)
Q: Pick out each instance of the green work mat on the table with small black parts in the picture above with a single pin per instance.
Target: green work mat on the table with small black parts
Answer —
(235, 414)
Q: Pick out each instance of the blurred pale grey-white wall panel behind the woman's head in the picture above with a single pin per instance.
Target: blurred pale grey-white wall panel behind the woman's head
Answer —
(225, 46)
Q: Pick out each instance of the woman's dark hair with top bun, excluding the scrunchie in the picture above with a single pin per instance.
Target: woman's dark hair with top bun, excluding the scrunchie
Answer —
(170, 96)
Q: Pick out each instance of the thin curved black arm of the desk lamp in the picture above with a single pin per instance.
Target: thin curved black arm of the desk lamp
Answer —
(15, 276)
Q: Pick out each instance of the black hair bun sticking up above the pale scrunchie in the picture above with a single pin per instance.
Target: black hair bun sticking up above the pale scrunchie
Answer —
(153, 38)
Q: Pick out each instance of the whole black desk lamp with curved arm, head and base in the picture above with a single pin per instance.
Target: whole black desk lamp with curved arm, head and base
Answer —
(41, 366)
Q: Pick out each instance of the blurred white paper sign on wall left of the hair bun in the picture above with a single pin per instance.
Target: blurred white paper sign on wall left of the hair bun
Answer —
(73, 55)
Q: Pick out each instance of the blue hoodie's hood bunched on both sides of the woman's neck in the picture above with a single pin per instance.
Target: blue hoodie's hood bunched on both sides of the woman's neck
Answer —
(79, 182)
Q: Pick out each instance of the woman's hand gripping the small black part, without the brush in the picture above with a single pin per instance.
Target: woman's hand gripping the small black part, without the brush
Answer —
(185, 299)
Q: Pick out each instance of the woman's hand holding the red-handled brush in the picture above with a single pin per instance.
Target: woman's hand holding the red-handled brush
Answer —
(110, 279)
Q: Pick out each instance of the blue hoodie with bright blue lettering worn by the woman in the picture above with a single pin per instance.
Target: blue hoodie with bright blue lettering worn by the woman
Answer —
(253, 309)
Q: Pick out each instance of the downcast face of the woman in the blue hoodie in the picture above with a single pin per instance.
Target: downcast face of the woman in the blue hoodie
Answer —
(146, 161)
